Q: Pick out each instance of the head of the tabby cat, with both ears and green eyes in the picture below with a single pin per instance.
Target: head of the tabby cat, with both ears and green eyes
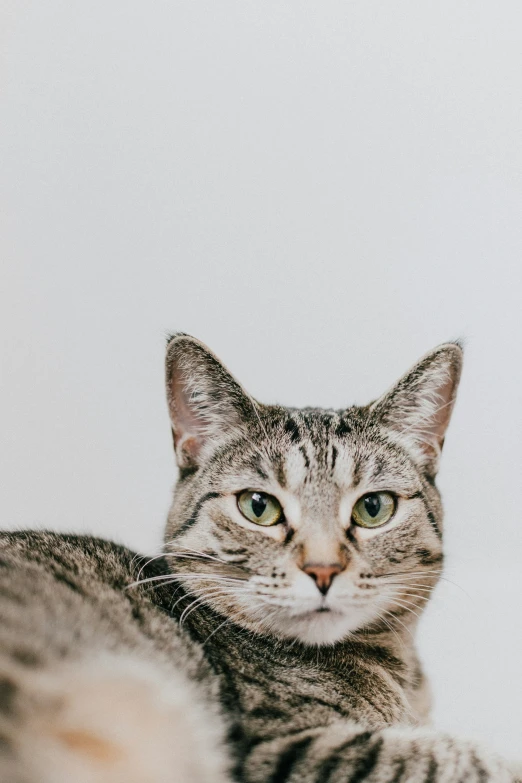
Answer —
(308, 524)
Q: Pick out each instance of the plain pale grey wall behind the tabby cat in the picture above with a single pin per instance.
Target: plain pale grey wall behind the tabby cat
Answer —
(321, 191)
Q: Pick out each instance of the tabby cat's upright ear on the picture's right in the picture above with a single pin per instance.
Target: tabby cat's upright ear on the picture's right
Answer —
(418, 408)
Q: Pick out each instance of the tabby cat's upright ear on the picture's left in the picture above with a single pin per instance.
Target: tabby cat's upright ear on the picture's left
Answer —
(206, 403)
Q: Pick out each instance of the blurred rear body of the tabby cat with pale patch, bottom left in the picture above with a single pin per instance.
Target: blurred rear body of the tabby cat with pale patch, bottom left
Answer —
(96, 681)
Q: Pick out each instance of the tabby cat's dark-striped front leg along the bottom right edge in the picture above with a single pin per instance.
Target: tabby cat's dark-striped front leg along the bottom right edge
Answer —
(348, 753)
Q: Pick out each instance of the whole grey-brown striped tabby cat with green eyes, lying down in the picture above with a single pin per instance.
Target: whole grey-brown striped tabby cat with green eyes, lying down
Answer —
(272, 640)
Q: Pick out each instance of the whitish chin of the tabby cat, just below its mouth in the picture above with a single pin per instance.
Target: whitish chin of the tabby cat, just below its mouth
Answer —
(318, 628)
